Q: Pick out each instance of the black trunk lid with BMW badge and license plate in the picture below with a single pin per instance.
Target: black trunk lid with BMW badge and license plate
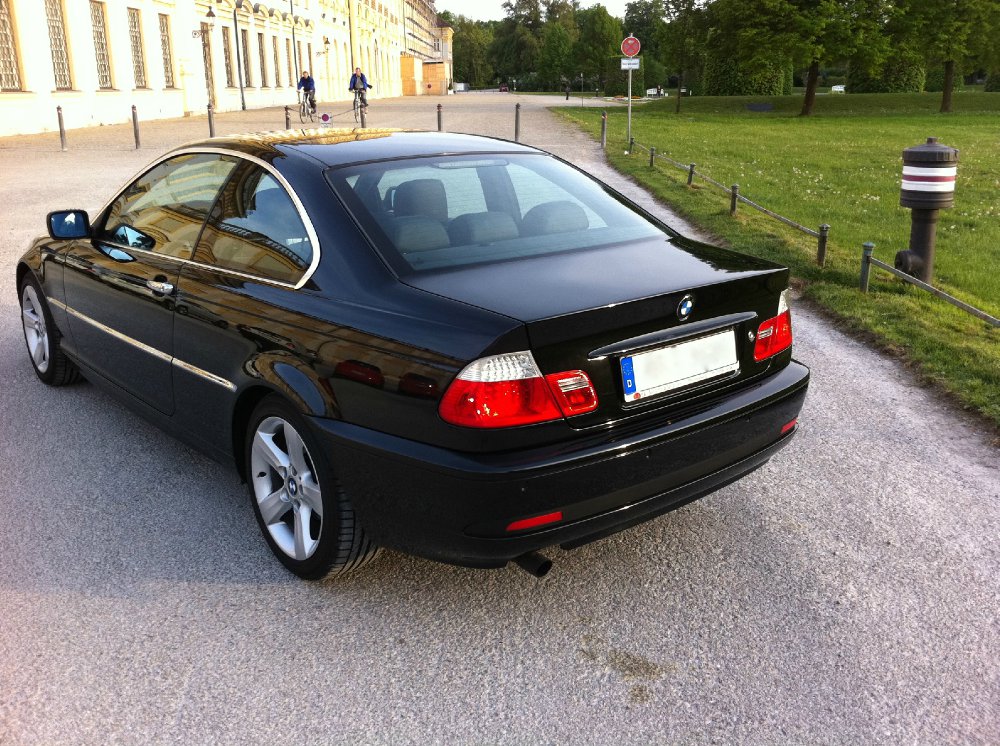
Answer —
(590, 309)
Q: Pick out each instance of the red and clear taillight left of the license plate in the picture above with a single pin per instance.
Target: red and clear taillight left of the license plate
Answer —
(509, 390)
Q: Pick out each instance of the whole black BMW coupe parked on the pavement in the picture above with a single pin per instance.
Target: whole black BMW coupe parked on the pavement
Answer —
(453, 346)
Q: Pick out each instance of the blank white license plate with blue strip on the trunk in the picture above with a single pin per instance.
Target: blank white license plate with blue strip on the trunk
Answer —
(679, 365)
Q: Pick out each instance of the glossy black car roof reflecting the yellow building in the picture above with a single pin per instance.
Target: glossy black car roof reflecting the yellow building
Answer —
(336, 147)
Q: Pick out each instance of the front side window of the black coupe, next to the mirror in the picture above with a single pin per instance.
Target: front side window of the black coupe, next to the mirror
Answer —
(164, 209)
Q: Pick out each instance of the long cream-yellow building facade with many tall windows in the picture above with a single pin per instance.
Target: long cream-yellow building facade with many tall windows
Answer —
(169, 58)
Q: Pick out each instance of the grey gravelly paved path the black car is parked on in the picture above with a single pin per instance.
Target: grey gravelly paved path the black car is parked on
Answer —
(845, 593)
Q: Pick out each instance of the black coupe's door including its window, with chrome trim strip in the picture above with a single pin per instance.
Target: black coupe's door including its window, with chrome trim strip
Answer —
(120, 286)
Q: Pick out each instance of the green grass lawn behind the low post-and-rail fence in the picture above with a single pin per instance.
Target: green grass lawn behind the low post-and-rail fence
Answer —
(842, 166)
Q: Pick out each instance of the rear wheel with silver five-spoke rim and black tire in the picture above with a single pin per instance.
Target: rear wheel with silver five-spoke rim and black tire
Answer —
(305, 516)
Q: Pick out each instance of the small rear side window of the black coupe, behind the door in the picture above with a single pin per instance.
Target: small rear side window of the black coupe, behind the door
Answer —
(256, 229)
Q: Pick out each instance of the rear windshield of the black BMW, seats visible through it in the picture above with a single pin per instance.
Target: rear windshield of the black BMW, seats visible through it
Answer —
(449, 211)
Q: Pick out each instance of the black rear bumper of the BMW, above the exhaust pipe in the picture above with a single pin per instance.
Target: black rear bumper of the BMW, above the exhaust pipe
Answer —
(455, 507)
